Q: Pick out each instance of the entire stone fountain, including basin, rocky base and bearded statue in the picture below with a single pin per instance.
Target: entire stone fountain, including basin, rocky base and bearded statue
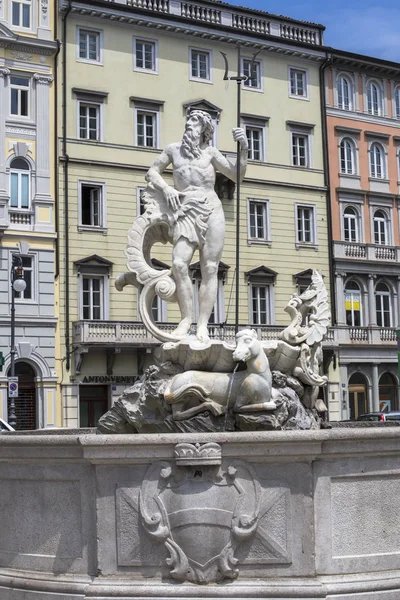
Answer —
(211, 477)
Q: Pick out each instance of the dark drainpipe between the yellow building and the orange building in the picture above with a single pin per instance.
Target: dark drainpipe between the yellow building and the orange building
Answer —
(325, 152)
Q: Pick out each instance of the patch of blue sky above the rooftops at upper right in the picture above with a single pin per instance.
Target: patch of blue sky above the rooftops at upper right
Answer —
(361, 26)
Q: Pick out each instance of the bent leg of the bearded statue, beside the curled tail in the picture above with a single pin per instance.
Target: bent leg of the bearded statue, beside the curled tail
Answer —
(182, 255)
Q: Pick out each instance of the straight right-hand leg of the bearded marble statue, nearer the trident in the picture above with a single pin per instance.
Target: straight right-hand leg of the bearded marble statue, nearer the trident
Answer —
(210, 255)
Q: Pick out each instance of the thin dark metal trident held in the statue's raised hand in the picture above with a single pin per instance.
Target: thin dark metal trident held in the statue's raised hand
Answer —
(239, 78)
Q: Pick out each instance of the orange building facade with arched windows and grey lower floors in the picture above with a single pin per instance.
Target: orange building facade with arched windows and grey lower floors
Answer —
(362, 97)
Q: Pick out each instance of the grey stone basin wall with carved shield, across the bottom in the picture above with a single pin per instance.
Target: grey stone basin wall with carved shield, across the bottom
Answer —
(271, 515)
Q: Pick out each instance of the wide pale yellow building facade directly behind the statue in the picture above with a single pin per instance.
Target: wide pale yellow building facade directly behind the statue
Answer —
(130, 73)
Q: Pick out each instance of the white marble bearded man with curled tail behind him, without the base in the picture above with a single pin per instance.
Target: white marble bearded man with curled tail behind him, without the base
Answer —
(190, 216)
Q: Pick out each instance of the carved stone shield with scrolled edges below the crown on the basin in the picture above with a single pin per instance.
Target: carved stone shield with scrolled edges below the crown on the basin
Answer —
(201, 513)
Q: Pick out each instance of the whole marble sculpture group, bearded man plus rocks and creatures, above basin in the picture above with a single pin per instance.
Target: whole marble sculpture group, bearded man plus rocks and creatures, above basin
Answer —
(197, 384)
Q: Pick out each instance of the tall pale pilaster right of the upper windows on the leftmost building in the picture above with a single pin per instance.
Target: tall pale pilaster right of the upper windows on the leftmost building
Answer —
(43, 117)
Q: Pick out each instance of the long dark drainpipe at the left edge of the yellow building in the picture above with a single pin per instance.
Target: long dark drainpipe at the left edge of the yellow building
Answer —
(66, 161)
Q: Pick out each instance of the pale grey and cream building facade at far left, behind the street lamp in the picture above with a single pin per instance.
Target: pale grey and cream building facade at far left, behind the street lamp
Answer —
(27, 207)
